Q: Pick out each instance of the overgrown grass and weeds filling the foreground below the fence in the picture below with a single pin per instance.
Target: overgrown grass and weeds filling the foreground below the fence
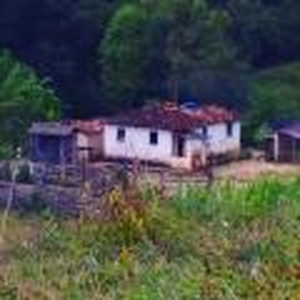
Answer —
(232, 242)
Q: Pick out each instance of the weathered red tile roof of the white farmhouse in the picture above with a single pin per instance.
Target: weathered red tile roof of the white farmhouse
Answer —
(172, 117)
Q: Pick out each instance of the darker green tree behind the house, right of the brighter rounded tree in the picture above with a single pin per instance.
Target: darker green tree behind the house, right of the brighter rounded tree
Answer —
(196, 39)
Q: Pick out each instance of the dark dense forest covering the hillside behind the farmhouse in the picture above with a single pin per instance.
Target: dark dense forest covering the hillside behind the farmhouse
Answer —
(99, 57)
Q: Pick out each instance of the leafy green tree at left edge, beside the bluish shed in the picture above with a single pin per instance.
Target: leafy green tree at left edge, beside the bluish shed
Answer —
(23, 98)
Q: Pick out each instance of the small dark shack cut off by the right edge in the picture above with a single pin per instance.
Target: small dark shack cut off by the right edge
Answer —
(283, 142)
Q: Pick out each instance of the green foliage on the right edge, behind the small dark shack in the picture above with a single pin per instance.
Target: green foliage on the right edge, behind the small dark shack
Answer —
(274, 96)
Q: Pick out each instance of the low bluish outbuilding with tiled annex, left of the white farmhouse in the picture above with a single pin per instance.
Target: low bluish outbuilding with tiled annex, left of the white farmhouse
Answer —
(65, 142)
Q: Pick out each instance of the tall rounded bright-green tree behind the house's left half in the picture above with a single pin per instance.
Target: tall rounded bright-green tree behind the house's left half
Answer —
(125, 55)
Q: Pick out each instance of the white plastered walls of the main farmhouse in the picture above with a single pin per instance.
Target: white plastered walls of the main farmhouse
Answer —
(137, 145)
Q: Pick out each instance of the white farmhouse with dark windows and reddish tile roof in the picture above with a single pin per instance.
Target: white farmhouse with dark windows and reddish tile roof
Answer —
(178, 136)
